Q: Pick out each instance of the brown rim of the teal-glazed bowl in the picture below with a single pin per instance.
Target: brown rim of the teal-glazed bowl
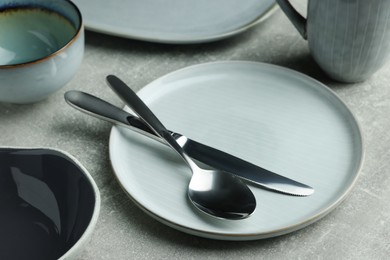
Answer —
(47, 57)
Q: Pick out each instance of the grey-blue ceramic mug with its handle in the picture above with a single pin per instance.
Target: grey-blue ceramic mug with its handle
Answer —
(349, 39)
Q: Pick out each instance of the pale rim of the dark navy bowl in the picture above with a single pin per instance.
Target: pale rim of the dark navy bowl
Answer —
(84, 238)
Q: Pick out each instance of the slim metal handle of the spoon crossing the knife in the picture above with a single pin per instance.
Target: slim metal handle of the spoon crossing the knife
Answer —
(143, 111)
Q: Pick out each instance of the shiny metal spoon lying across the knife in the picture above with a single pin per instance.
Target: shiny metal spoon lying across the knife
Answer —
(214, 192)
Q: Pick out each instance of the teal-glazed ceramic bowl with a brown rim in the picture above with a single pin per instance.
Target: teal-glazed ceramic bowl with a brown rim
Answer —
(41, 48)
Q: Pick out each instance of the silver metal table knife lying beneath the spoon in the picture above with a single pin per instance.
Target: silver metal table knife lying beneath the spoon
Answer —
(215, 158)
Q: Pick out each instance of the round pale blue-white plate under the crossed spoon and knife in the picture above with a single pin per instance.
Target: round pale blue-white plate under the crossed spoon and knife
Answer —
(271, 116)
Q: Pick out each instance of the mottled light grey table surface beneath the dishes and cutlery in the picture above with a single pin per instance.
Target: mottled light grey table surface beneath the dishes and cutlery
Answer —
(358, 229)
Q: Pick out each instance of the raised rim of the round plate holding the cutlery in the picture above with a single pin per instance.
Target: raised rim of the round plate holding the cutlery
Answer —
(254, 235)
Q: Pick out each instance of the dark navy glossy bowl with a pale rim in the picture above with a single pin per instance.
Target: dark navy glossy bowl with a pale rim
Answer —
(49, 204)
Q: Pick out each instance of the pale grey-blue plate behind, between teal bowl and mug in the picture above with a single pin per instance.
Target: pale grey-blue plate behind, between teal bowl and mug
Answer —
(173, 21)
